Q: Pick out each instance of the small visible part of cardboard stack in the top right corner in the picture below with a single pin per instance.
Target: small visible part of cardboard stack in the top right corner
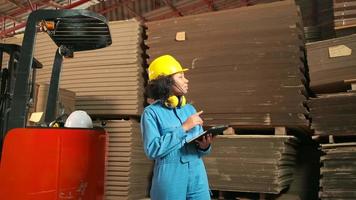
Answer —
(344, 13)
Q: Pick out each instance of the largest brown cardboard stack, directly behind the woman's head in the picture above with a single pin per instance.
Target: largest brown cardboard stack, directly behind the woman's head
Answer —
(245, 64)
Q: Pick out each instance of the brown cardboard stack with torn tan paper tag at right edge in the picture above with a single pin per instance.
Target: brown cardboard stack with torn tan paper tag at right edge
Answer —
(330, 63)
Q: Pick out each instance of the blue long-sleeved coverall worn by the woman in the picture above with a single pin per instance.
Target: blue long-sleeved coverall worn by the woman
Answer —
(179, 172)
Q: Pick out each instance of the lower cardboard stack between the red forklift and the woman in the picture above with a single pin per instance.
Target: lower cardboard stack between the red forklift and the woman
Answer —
(128, 169)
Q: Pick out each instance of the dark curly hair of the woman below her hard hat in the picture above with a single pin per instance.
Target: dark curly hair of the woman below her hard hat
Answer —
(160, 88)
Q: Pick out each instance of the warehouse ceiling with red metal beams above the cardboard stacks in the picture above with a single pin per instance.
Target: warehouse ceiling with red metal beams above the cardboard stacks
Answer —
(14, 13)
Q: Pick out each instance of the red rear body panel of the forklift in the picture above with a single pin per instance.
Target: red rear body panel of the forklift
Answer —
(53, 164)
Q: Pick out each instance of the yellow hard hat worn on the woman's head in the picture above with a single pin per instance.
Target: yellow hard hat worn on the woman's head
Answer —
(164, 66)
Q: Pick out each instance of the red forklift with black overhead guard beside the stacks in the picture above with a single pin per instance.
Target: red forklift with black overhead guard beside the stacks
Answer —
(51, 163)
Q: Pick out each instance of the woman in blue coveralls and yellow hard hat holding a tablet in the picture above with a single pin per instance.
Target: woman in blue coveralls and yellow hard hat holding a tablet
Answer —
(167, 125)
